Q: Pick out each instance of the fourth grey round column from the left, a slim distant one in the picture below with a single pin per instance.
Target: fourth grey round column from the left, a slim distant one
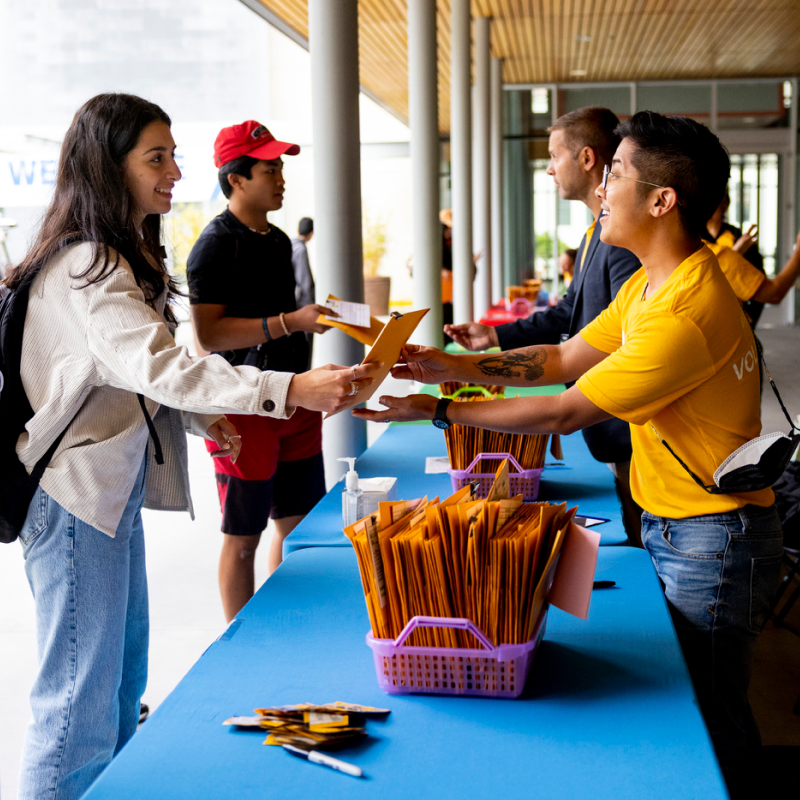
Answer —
(481, 161)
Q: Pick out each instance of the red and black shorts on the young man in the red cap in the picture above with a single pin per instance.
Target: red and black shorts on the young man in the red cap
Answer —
(279, 472)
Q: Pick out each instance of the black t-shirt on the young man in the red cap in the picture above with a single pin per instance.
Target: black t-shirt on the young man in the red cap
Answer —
(251, 274)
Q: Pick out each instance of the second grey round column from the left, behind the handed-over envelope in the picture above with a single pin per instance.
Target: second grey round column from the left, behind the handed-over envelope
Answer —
(424, 121)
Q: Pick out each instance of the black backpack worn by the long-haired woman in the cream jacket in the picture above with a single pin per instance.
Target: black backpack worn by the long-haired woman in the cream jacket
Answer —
(16, 486)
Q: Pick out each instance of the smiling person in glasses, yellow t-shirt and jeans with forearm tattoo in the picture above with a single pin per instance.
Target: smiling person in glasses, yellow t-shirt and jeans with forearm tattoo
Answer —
(674, 356)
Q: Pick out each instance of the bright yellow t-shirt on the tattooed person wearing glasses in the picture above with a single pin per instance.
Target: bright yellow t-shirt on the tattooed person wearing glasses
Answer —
(685, 362)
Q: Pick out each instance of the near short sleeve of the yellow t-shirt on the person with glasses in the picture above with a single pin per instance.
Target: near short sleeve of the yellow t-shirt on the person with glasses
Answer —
(666, 357)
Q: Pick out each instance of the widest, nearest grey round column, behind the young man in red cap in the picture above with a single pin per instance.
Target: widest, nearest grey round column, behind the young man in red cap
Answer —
(333, 46)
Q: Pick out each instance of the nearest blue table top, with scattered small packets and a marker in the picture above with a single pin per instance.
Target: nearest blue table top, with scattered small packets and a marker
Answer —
(608, 711)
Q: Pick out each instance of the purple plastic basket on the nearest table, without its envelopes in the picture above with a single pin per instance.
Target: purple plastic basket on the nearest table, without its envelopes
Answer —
(492, 672)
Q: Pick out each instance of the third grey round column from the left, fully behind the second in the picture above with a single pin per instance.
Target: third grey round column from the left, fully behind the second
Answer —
(460, 160)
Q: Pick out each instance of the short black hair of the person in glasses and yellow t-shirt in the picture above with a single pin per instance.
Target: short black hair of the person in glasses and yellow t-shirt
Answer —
(684, 155)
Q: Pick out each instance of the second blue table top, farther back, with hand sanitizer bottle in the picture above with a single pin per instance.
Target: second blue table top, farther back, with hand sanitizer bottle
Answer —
(401, 451)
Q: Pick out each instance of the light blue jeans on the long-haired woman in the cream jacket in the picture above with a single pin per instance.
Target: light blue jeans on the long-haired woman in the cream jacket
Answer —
(90, 592)
